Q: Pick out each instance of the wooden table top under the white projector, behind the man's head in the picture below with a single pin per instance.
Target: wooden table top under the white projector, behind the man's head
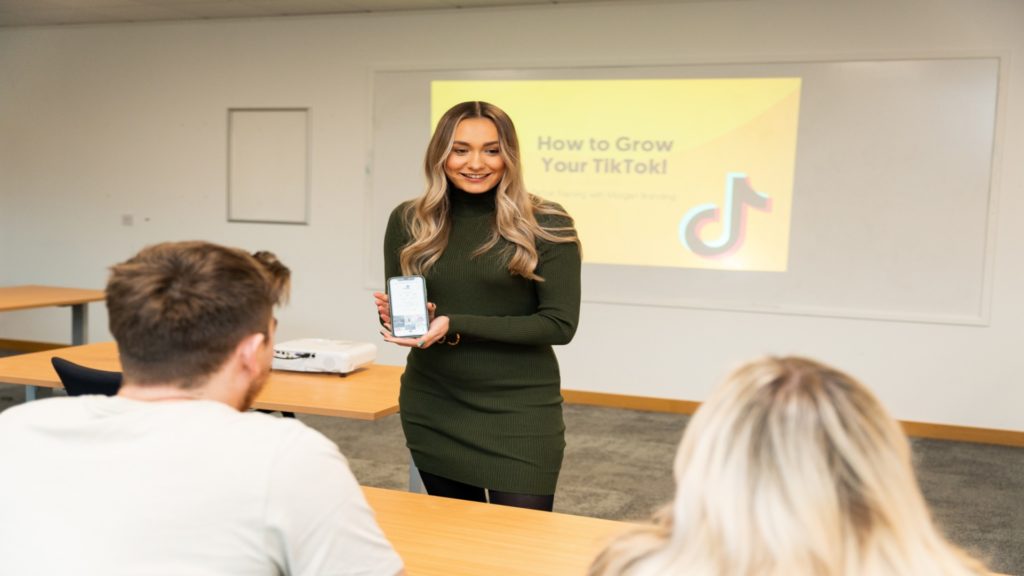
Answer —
(368, 394)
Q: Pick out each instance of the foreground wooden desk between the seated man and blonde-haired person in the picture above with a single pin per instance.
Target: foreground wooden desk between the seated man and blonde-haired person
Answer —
(441, 537)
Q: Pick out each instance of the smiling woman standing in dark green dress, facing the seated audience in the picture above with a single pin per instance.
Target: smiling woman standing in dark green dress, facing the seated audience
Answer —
(481, 401)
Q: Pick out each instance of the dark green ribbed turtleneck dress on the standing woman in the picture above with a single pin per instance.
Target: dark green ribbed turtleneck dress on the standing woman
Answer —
(489, 412)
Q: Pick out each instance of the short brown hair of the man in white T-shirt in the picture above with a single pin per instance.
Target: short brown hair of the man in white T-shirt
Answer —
(178, 310)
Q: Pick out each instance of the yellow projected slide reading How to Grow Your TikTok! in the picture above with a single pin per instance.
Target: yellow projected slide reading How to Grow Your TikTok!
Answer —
(658, 173)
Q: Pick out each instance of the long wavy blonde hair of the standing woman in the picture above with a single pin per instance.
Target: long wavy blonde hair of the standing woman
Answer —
(430, 219)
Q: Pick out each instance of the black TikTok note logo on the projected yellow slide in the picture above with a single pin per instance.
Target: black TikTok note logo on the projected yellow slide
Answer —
(739, 195)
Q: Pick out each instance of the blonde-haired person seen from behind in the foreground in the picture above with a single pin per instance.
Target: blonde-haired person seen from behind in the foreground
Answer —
(791, 468)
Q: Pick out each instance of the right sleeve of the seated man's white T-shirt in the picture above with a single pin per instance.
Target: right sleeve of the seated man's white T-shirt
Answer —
(320, 522)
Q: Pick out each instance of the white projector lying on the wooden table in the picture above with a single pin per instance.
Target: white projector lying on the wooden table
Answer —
(320, 355)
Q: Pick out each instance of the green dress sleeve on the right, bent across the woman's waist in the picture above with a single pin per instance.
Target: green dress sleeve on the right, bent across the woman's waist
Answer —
(559, 304)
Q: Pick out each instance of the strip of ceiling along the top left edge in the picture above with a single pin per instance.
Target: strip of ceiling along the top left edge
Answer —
(62, 13)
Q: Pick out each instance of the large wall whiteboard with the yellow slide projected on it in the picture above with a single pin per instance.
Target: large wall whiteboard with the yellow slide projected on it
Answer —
(851, 189)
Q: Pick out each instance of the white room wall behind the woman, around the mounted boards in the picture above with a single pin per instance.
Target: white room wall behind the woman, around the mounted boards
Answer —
(97, 122)
